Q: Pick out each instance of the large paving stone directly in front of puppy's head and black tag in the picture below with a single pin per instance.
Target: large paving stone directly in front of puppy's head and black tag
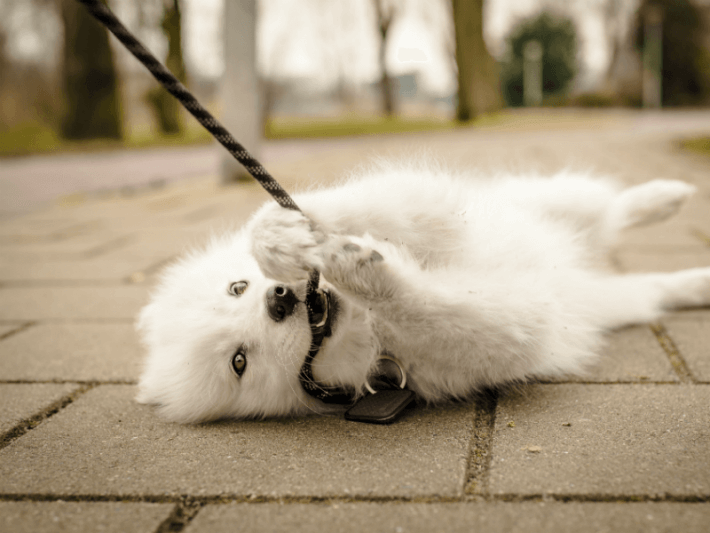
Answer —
(105, 443)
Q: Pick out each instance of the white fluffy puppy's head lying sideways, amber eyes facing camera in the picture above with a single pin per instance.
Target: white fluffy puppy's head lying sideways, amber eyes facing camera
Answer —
(224, 341)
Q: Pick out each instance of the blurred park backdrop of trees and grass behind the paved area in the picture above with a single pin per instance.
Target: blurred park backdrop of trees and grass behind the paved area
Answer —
(330, 68)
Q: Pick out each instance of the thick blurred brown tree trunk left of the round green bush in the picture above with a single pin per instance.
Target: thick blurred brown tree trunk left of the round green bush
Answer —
(479, 86)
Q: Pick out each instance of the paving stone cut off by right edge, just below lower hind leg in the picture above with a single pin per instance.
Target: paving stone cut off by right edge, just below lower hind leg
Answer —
(690, 331)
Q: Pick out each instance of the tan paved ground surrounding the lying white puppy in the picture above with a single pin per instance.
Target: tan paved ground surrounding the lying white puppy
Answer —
(626, 448)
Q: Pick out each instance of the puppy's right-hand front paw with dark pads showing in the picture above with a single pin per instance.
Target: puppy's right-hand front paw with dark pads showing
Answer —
(354, 264)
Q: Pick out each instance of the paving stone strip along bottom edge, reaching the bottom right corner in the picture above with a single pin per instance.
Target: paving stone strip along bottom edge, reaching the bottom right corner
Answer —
(524, 517)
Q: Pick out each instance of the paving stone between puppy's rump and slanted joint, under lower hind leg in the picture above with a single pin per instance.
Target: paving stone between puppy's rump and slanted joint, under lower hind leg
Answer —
(631, 355)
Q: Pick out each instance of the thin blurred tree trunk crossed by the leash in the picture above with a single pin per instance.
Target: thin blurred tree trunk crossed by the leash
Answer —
(165, 106)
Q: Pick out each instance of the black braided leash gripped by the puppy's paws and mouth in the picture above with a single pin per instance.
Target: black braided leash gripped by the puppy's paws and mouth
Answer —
(103, 14)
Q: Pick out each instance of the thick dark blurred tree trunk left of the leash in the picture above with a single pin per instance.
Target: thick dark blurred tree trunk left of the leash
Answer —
(89, 77)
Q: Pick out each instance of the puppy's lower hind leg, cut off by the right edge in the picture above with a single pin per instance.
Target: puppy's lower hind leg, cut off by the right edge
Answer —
(617, 301)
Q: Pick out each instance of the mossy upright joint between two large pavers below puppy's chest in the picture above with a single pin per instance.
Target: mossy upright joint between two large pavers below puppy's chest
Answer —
(479, 453)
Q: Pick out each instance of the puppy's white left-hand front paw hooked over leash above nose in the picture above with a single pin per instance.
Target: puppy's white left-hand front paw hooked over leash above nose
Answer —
(286, 244)
